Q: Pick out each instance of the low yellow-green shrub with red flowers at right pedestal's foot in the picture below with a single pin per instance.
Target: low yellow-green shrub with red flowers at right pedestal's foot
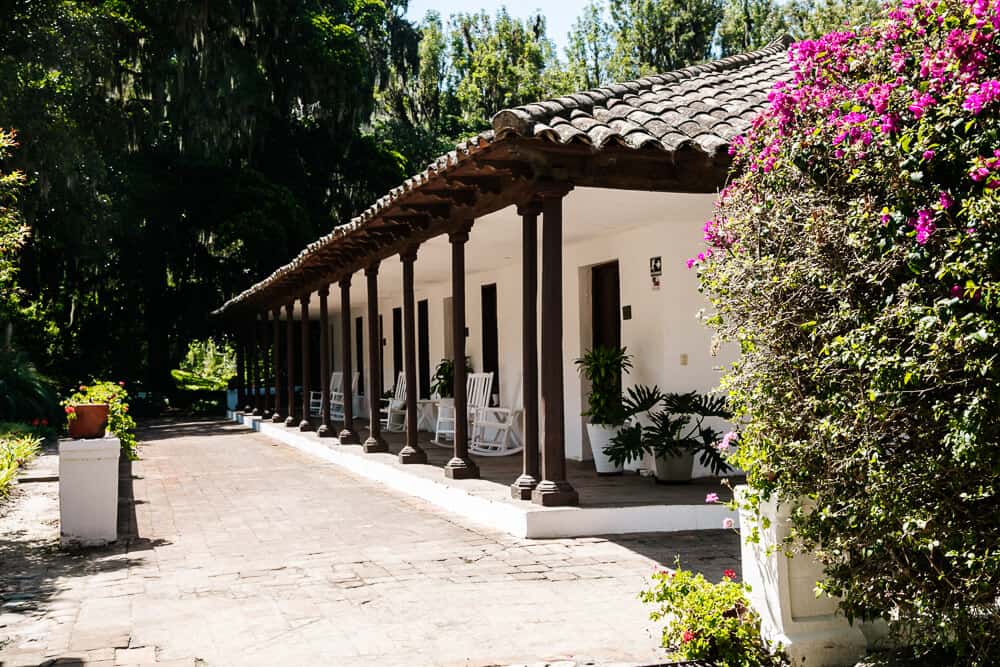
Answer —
(709, 621)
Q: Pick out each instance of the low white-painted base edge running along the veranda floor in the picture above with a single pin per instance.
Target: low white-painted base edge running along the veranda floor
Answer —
(489, 504)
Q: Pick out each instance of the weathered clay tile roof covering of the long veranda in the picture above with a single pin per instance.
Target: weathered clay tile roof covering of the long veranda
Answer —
(702, 107)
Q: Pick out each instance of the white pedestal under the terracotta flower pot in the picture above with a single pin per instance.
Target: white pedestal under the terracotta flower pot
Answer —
(88, 491)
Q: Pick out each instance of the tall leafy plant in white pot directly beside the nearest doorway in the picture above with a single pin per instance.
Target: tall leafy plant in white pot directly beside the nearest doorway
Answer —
(604, 367)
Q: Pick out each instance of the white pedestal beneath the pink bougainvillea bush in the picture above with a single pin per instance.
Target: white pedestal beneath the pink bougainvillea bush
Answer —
(782, 591)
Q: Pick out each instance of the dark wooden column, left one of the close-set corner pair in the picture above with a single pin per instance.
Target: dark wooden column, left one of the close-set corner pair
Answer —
(522, 487)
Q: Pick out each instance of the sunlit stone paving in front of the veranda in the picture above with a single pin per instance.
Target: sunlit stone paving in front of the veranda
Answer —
(240, 551)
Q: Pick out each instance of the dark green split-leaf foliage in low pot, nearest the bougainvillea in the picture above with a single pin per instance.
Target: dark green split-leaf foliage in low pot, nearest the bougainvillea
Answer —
(678, 427)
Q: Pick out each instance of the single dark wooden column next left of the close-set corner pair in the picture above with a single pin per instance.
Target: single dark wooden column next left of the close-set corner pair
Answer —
(461, 465)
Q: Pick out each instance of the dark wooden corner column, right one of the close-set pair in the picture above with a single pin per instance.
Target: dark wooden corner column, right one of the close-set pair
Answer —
(553, 489)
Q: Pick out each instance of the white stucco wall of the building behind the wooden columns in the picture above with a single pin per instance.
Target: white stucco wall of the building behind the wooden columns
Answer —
(600, 226)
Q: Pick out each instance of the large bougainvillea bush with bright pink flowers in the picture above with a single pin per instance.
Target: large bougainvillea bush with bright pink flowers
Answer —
(855, 258)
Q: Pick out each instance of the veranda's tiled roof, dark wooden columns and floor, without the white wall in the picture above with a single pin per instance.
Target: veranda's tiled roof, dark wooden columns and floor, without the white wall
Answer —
(664, 134)
